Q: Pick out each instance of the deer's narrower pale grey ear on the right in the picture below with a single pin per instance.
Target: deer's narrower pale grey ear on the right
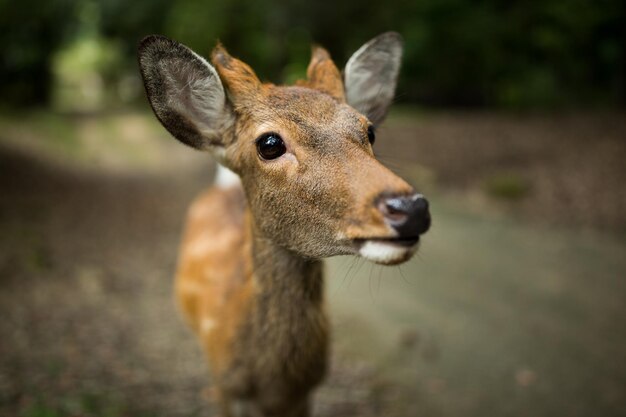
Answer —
(371, 75)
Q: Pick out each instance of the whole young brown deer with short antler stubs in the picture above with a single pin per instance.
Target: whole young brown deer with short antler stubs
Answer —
(298, 182)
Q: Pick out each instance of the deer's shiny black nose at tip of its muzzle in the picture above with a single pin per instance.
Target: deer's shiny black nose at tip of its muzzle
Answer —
(409, 215)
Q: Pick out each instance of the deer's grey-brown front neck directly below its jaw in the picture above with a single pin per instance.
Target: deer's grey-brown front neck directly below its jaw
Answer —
(288, 318)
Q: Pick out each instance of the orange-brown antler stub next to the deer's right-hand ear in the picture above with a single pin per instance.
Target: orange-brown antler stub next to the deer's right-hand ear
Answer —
(323, 74)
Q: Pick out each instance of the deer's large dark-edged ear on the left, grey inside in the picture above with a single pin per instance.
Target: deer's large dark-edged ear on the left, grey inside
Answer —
(185, 92)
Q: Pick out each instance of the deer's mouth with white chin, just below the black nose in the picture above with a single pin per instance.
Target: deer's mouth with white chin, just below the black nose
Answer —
(387, 251)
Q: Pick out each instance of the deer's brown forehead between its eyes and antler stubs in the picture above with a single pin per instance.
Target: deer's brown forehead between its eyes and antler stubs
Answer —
(309, 112)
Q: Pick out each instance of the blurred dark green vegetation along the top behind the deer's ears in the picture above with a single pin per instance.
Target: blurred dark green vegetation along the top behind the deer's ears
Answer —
(80, 54)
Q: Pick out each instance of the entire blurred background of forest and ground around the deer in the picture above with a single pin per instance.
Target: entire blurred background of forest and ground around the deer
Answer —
(509, 117)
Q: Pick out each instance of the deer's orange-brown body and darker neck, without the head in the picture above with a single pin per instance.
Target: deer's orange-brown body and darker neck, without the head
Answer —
(244, 305)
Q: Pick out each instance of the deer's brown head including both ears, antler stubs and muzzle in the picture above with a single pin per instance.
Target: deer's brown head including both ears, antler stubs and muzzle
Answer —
(303, 152)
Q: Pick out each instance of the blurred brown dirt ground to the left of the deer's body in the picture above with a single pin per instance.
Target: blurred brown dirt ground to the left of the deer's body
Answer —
(88, 324)
